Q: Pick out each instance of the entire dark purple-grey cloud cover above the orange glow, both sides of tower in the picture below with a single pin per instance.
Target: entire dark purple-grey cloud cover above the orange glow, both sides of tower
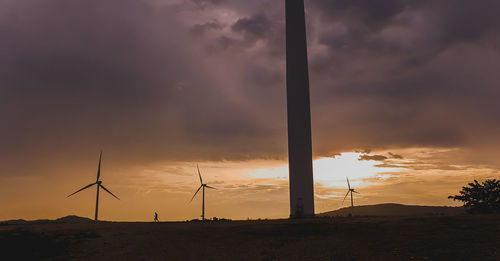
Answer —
(136, 79)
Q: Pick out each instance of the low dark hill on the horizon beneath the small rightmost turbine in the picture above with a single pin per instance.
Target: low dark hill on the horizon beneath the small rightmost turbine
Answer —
(391, 209)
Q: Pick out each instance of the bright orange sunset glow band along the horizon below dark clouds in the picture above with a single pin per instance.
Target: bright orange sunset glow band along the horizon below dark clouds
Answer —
(245, 189)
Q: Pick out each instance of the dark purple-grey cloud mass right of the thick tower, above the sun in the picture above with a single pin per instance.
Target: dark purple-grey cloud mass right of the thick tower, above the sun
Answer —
(413, 73)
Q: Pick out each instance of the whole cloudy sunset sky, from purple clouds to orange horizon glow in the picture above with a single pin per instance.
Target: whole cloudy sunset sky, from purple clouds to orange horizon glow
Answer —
(404, 101)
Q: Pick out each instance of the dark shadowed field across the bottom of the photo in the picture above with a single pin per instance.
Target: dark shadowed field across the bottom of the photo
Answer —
(464, 237)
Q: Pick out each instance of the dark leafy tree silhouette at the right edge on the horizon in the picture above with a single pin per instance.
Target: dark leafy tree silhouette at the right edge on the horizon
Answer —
(480, 198)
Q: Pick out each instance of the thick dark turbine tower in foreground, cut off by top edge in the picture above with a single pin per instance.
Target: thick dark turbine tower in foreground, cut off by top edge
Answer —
(298, 112)
